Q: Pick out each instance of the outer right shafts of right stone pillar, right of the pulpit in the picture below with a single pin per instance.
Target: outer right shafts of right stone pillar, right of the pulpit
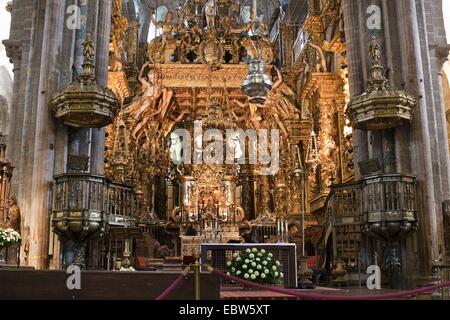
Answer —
(426, 159)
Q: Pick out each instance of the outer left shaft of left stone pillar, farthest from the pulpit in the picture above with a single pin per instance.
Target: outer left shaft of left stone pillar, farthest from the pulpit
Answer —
(25, 36)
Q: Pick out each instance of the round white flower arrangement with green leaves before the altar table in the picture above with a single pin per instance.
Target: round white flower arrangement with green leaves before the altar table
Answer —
(255, 265)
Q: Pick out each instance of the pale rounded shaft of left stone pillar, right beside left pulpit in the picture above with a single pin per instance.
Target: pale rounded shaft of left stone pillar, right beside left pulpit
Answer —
(45, 132)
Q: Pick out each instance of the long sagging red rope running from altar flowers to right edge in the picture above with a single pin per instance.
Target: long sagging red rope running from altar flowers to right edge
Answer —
(313, 296)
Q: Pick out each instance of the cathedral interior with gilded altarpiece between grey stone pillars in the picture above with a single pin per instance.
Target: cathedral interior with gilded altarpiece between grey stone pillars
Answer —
(127, 140)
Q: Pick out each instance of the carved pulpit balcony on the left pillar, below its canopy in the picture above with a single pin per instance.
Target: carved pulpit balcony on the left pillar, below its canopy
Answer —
(85, 205)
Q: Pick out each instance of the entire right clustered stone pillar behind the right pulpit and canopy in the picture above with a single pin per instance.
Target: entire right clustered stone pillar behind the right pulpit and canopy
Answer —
(408, 31)
